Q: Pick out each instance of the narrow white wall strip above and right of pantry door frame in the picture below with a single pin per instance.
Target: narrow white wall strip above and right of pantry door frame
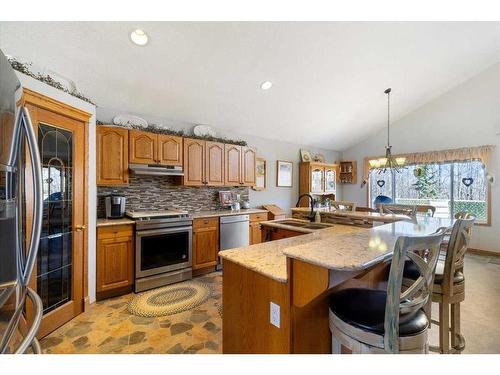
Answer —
(56, 94)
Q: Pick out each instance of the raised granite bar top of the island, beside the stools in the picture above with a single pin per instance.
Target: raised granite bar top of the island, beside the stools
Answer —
(362, 249)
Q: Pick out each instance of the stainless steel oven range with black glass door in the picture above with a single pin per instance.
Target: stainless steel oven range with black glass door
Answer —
(163, 251)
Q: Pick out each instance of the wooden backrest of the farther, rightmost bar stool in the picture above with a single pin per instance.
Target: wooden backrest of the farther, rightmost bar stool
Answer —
(457, 247)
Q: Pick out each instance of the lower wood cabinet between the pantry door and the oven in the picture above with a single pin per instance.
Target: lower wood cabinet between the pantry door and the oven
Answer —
(115, 260)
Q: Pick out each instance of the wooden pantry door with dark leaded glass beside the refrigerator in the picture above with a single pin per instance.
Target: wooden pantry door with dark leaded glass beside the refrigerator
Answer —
(58, 277)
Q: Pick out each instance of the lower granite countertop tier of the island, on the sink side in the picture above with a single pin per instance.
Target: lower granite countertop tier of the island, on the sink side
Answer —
(268, 258)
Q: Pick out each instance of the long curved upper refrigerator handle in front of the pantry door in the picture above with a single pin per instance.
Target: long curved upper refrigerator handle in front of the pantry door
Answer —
(36, 223)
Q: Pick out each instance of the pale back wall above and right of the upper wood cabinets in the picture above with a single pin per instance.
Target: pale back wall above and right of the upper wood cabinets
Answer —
(268, 149)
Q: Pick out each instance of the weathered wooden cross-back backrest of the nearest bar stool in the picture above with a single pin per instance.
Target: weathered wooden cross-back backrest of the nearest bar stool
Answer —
(424, 252)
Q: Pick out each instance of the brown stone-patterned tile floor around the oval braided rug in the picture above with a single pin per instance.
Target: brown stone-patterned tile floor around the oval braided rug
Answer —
(109, 328)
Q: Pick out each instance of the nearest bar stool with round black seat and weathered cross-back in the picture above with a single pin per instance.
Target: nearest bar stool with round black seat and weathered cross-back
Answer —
(391, 321)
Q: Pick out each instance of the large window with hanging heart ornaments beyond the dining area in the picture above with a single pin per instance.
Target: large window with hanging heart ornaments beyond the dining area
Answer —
(450, 187)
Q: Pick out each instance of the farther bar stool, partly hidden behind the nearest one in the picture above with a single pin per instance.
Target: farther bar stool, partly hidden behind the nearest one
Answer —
(449, 284)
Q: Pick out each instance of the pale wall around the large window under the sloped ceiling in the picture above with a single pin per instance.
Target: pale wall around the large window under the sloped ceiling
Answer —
(468, 115)
